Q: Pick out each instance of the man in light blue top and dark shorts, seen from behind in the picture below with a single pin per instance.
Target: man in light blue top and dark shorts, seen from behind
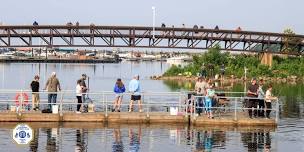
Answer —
(134, 89)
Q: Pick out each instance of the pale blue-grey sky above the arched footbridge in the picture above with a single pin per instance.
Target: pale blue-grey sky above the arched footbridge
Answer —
(251, 15)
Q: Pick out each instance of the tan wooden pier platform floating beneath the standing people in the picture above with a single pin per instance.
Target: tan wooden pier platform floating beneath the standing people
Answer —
(136, 117)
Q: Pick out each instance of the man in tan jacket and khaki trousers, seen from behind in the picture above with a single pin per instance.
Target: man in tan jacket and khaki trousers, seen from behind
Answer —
(52, 85)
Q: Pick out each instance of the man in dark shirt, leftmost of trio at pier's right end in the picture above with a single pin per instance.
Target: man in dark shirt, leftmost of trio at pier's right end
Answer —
(252, 93)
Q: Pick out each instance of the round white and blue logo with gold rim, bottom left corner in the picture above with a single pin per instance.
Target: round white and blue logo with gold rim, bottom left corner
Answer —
(22, 134)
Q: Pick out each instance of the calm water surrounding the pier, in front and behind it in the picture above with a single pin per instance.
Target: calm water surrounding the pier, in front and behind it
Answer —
(289, 135)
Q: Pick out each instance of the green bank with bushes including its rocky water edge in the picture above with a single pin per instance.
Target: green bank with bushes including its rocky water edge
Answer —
(284, 68)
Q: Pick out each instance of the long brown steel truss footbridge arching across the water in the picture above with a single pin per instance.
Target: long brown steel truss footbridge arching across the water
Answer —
(134, 36)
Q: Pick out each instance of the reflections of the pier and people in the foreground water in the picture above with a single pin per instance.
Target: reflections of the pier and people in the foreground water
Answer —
(135, 138)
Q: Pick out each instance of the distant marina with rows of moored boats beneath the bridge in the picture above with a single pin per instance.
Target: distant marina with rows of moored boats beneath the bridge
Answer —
(31, 55)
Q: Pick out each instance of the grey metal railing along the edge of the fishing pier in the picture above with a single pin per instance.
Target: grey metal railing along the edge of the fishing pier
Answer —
(232, 106)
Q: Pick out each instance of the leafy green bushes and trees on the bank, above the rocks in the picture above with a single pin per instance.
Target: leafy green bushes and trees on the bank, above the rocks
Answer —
(235, 65)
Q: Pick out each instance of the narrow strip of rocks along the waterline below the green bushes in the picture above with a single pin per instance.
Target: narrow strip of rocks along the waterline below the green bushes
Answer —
(289, 79)
